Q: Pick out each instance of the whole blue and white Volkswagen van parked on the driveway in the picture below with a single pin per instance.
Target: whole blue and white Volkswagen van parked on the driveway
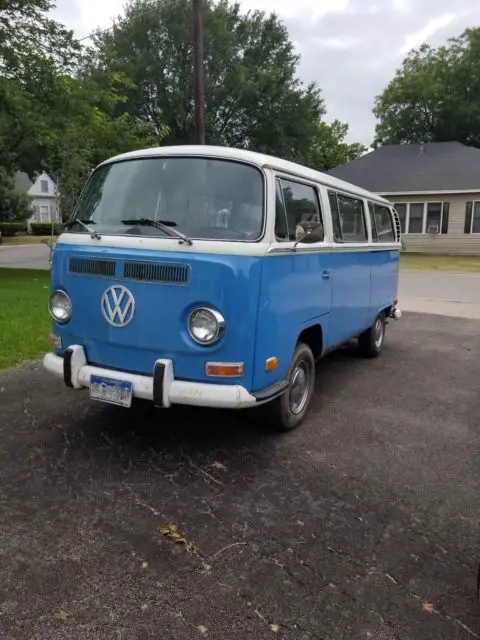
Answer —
(217, 277)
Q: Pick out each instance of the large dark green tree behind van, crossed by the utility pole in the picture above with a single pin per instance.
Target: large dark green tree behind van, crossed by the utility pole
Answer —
(253, 97)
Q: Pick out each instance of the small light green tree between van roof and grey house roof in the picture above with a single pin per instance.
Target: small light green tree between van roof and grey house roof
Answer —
(328, 147)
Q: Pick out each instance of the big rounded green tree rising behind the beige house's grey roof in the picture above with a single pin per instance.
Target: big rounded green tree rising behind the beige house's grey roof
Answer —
(434, 96)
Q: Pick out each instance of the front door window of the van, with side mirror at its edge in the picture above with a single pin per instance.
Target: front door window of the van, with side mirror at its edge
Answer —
(301, 205)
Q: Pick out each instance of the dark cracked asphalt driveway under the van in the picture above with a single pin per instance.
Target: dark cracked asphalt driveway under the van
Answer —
(191, 524)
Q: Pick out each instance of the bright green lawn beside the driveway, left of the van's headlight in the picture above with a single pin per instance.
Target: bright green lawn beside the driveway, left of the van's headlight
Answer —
(24, 317)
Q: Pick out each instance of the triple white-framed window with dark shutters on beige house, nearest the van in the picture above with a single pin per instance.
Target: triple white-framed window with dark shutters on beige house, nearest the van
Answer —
(423, 217)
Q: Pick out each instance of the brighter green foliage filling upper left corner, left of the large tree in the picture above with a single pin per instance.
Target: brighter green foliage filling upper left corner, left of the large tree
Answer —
(55, 115)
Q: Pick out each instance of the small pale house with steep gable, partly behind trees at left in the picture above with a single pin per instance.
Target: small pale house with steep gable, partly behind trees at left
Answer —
(43, 194)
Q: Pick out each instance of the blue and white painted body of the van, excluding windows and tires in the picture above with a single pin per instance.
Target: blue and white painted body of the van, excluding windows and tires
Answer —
(269, 293)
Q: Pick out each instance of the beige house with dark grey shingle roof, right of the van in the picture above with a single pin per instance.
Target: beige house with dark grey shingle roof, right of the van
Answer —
(435, 188)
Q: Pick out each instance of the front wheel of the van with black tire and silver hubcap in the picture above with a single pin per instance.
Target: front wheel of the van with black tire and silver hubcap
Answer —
(288, 411)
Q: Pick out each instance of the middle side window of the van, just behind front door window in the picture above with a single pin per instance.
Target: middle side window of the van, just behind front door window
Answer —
(348, 217)
